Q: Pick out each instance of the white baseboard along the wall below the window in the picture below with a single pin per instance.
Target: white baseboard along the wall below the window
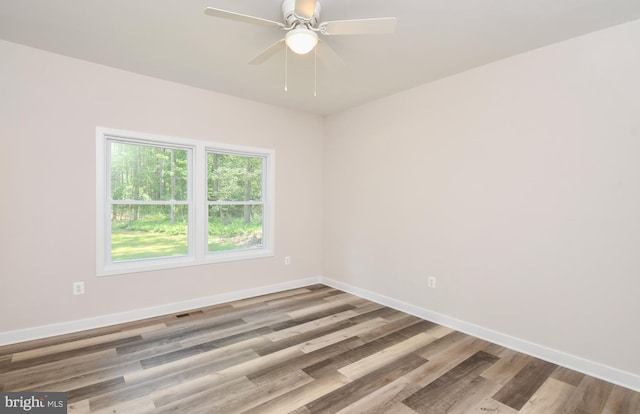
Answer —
(39, 332)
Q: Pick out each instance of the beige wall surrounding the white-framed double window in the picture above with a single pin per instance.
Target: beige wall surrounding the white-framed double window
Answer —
(49, 108)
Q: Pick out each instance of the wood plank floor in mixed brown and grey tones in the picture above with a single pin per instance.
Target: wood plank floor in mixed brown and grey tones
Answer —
(308, 350)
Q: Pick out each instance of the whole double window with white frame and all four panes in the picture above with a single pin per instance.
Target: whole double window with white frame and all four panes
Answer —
(167, 202)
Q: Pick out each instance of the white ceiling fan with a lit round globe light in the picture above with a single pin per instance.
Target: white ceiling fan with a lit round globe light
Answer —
(301, 24)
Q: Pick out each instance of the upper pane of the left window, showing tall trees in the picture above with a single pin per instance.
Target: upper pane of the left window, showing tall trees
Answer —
(143, 172)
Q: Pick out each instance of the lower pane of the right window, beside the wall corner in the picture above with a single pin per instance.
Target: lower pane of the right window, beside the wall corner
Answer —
(235, 227)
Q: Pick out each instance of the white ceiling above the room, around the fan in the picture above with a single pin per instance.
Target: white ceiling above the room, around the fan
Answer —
(175, 40)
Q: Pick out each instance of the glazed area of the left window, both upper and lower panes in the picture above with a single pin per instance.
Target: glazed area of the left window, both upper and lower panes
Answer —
(150, 200)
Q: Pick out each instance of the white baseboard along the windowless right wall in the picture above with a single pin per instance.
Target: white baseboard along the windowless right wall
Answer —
(594, 369)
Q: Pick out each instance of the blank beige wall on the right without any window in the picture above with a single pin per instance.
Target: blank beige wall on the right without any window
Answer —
(516, 184)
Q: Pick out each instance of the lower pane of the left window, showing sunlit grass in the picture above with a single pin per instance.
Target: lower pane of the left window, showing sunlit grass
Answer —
(148, 231)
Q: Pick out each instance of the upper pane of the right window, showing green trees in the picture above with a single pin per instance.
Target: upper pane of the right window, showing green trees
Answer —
(234, 177)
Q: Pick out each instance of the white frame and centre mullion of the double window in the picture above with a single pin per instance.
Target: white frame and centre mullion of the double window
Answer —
(198, 204)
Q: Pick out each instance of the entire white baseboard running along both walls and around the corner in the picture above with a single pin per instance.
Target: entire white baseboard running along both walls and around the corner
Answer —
(595, 369)
